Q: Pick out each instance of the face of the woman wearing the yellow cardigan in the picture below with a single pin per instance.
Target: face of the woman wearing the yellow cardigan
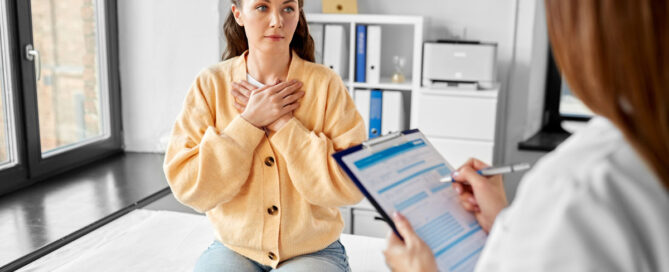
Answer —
(269, 24)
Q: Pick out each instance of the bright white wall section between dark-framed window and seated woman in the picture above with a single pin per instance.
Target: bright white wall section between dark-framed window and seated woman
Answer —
(163, 44)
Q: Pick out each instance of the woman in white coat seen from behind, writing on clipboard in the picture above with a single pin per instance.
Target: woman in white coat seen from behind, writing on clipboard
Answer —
(599, 202)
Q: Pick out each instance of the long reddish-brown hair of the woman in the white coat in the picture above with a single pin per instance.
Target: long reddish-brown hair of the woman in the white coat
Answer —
(615, 56)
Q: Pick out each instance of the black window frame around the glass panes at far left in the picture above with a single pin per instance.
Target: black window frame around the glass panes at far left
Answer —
(32, 167)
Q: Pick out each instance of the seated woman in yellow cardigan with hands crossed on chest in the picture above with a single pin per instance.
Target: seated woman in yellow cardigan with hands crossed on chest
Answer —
(251, 147)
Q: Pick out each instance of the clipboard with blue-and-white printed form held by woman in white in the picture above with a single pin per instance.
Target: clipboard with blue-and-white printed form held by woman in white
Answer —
(400, 172)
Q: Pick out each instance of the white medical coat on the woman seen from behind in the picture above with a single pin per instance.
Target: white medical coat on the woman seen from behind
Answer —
(591, 205)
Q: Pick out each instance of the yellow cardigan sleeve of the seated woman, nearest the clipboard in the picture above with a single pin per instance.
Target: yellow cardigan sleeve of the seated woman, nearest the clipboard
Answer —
(313, 171)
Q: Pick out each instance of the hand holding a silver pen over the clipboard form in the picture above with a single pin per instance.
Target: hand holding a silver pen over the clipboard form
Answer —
(484, 196)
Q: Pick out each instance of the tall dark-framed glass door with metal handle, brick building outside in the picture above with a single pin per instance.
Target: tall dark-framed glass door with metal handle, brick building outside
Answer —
(65, 75)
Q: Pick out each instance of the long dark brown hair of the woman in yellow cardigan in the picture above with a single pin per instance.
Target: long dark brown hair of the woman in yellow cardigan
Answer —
(302, 42)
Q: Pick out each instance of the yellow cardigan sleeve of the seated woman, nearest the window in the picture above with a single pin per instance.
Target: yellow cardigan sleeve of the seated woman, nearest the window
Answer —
(204, 166)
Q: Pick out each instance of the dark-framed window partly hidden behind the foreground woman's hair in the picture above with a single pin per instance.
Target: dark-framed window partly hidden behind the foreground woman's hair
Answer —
(560, 105)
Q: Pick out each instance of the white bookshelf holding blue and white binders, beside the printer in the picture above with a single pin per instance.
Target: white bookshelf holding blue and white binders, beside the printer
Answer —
(401, 36)
